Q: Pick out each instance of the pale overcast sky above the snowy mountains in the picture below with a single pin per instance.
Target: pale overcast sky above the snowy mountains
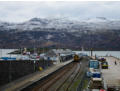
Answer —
(22, 11)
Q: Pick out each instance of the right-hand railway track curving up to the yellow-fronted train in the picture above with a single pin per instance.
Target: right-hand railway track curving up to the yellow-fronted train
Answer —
(76, 75)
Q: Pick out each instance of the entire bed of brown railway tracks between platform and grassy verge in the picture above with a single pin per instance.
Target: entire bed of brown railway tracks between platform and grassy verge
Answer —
(61, 80)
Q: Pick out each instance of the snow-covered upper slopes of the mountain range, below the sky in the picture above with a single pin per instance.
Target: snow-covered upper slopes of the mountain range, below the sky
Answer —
(63, 24)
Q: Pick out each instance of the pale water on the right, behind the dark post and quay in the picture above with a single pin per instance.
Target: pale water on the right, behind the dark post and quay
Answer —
(102, 53)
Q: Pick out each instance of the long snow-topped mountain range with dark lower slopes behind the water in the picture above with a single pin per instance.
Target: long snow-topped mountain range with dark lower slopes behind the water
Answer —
(99, 33)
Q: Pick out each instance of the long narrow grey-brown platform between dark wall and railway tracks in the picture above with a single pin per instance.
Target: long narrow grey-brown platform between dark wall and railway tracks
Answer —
(23, 82)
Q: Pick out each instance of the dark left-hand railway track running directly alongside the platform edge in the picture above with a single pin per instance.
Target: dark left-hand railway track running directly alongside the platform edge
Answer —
(47, 79)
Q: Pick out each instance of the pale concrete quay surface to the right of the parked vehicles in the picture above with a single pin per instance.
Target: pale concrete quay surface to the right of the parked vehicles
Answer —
(111, 75)
